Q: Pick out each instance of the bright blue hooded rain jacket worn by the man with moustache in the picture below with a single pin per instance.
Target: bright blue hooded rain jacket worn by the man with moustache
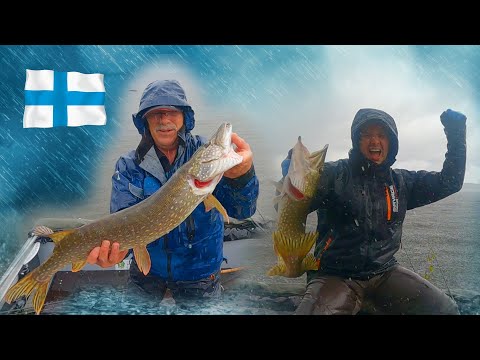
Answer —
(193, 250)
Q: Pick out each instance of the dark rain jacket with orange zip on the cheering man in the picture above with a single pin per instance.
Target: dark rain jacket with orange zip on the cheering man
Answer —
(361, 205)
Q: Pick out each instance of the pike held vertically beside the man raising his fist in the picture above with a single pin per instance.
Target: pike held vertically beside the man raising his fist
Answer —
(290, 242)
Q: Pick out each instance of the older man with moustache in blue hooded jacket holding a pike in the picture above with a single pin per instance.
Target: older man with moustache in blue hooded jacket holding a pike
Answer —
(188, 259)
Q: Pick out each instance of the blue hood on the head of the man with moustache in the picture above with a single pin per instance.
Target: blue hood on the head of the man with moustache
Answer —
(164, 92)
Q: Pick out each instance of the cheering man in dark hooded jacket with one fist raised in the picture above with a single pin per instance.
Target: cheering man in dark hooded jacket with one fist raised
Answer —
(361, 204)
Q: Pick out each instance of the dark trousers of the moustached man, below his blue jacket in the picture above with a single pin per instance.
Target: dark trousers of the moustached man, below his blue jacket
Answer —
(182, 291)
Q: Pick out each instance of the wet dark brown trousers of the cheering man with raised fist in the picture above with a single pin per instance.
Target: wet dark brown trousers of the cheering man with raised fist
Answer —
(397, 291)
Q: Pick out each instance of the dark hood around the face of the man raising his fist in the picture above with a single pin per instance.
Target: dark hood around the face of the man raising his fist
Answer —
(366, 115)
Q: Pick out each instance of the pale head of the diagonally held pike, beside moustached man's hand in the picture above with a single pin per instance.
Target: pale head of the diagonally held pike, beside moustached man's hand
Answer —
(211, 160)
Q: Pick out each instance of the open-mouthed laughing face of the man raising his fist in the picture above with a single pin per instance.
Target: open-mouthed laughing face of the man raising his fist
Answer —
(374, 142)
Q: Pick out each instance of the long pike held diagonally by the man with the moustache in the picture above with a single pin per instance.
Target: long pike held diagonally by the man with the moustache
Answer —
(137, 226)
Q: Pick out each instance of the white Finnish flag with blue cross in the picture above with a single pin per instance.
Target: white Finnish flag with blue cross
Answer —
(55, 98)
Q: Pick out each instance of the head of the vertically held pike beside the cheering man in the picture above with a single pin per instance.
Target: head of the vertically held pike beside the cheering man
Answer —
(304, 172)
